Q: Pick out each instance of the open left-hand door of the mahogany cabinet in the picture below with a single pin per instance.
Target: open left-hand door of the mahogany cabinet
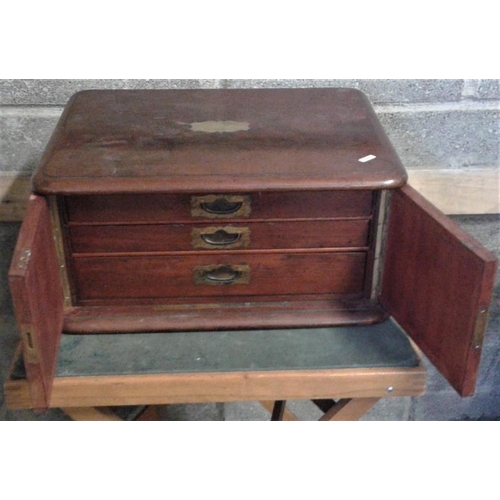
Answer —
(37, 294)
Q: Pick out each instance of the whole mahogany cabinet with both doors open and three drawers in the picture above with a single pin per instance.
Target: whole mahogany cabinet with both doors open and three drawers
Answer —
(172, 210)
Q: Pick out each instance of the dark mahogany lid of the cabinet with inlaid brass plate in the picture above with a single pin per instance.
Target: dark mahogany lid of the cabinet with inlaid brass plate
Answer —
(110, 141)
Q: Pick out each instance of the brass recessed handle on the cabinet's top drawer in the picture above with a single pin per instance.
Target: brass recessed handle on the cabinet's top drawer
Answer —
(219, 206)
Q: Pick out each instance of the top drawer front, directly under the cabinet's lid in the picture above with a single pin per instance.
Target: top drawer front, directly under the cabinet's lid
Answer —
(126, 208)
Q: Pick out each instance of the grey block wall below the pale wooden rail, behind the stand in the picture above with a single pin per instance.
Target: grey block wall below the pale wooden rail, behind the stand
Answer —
(439, 403)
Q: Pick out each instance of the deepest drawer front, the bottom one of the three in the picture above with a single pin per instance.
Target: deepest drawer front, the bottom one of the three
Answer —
(219, 275)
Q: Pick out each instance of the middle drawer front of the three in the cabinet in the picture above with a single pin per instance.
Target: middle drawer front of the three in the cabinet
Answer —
(221, 237)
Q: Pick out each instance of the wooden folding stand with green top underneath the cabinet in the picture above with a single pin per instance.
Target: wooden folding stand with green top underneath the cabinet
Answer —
(354, 366)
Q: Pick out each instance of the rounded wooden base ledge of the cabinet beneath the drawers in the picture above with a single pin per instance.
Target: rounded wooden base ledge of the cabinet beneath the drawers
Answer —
(302, 311)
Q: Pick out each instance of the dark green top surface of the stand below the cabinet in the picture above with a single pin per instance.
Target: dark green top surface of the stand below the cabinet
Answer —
(380, 345)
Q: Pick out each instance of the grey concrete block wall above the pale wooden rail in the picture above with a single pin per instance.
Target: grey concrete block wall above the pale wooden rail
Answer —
(433, 124)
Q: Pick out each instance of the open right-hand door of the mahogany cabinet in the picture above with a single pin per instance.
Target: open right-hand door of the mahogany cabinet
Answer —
(437, 284)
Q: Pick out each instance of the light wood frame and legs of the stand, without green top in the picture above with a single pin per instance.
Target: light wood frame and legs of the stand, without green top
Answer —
(355, 390)
